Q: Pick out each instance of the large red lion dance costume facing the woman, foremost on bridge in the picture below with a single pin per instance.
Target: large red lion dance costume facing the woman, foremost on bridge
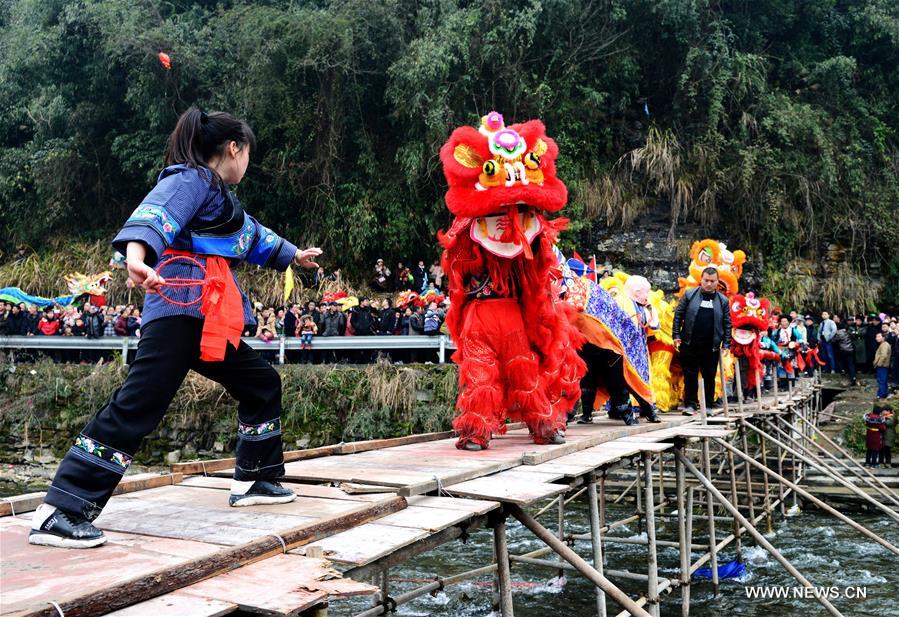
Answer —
(516, 348)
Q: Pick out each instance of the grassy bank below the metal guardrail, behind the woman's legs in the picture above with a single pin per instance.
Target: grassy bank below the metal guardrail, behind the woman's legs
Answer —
(45, 405)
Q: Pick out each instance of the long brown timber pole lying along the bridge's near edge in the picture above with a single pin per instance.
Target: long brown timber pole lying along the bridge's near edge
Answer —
(164, 580)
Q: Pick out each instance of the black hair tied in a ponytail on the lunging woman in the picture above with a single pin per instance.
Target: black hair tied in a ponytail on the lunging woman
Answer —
(199, 136)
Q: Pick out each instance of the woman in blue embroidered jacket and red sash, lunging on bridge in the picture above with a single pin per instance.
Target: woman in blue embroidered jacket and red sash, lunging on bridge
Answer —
(189, 229)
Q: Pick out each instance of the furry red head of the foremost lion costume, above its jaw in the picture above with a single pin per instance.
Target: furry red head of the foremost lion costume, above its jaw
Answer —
(494, 167)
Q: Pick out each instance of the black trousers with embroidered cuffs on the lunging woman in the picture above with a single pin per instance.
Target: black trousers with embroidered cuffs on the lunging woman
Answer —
(170, 347)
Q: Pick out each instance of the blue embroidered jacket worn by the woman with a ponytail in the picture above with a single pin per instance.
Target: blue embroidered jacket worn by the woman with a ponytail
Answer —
(186, 211)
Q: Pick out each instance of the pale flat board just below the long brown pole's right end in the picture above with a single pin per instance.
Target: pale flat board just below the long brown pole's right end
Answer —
(366, 543)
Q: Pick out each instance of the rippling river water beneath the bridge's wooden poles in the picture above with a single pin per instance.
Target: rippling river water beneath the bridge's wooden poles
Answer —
(825, 550)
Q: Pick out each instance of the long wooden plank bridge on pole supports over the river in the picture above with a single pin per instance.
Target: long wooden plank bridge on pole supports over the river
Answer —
(176, 548)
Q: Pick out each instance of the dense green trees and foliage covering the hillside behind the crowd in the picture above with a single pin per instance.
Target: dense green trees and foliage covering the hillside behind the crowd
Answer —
(773, 121)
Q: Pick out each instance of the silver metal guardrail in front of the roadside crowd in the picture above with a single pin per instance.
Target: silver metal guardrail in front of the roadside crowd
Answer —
(124, 344)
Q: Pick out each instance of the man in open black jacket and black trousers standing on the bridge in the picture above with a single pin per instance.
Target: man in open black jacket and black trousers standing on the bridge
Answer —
(701, 327)
